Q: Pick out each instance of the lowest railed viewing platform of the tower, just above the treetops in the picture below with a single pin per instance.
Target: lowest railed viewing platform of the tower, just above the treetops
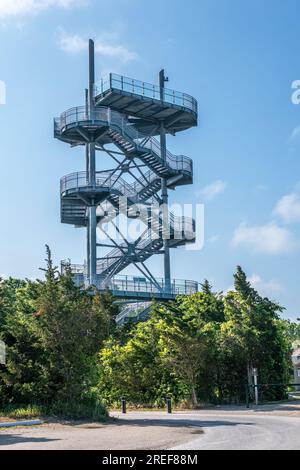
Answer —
(136, 287)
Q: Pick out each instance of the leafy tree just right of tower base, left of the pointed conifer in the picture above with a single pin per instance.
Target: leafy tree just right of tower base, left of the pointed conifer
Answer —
(191, 334)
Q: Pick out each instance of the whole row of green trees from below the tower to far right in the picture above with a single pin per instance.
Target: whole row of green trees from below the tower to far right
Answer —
(199, 348)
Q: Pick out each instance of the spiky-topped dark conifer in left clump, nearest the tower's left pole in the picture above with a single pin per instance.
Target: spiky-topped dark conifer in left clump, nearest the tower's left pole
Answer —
(72, 324)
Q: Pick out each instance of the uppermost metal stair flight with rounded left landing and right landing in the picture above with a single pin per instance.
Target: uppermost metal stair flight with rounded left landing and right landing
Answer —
(107, 126)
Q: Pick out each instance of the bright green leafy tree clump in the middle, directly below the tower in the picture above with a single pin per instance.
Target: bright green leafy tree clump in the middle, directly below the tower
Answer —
(172, 352)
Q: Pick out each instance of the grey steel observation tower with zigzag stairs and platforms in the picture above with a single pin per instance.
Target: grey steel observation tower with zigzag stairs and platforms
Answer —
(121, 119)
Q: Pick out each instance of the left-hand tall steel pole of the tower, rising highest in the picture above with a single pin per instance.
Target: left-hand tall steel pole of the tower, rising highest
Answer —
(92, 226)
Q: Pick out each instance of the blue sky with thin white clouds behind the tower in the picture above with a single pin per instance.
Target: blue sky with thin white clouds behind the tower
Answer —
(238, 58)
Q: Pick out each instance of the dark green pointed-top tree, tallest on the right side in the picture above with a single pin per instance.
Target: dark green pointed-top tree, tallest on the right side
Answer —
(252, 335)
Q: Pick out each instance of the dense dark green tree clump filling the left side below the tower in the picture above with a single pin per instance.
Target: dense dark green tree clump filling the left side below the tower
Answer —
(53, 331)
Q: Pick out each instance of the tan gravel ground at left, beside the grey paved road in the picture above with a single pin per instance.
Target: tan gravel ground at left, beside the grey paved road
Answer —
(122, 434)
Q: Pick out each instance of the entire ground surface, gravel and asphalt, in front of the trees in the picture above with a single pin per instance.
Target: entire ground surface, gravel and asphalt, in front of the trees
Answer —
(270, 428)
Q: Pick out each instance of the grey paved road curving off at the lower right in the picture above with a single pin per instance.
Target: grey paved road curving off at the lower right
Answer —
(270, 428)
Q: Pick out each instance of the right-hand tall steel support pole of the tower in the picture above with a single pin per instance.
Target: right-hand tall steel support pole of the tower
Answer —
(164, 192)
